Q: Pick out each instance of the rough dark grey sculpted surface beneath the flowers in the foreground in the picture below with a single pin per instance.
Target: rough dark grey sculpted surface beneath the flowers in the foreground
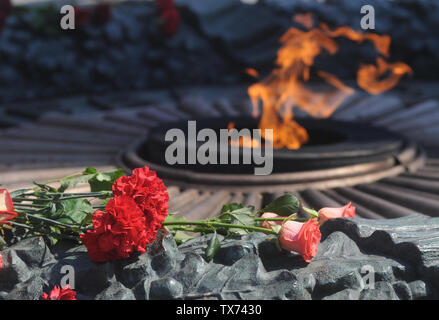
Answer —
(357, 259)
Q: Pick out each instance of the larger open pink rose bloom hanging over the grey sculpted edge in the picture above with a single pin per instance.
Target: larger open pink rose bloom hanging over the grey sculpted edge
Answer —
(301, 237)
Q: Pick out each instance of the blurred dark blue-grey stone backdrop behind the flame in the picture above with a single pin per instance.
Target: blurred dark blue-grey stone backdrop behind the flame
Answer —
(215, 43)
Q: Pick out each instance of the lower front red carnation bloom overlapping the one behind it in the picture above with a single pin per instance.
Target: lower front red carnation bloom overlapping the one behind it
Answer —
(117, 232)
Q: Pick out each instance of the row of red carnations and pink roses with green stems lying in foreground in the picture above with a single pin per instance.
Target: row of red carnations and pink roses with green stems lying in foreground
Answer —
(131, 210)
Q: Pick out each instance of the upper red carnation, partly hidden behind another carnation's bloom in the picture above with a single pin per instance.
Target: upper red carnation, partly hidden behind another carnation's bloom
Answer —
(150, 194)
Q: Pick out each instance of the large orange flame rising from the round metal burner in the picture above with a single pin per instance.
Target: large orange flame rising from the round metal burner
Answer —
(284, 89)
